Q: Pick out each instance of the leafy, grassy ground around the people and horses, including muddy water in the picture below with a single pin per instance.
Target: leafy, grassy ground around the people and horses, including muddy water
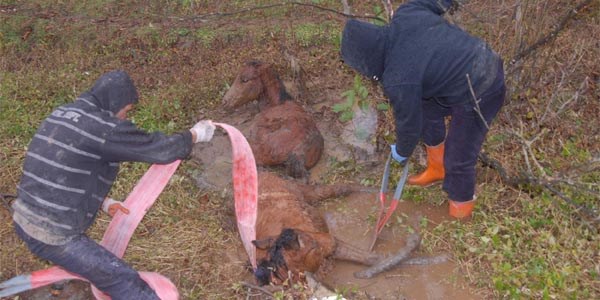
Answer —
(534, 233)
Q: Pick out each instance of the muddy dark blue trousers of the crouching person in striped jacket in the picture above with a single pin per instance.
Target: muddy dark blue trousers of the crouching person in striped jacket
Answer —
(85, 257)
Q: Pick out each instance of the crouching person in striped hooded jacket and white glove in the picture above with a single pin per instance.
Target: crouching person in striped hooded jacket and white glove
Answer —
(70, 166)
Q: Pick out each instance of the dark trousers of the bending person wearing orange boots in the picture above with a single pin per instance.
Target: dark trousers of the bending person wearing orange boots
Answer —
(465, 136)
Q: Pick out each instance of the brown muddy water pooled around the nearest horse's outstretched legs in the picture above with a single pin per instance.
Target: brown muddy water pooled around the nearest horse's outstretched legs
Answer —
(353, 220)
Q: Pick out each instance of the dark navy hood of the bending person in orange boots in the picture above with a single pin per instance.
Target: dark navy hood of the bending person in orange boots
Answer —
(363, 47)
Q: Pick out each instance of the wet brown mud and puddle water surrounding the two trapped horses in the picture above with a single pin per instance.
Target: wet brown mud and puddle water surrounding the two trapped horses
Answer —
(352, 218)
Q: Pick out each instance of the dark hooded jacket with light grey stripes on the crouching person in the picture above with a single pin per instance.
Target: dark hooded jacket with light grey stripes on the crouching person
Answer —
(74, 157)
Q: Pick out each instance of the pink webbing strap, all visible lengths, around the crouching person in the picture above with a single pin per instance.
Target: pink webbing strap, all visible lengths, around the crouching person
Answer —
(143, 196)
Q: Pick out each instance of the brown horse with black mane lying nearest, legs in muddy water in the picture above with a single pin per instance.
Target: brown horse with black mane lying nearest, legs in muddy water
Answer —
(292, 239)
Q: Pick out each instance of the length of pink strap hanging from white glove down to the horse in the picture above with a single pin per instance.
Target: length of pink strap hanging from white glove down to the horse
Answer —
(245, 189)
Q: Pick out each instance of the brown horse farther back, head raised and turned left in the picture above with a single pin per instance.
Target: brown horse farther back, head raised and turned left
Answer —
(282, 133)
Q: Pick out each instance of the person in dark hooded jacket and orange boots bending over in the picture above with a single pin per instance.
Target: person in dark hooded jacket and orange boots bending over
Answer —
(428, 68)
